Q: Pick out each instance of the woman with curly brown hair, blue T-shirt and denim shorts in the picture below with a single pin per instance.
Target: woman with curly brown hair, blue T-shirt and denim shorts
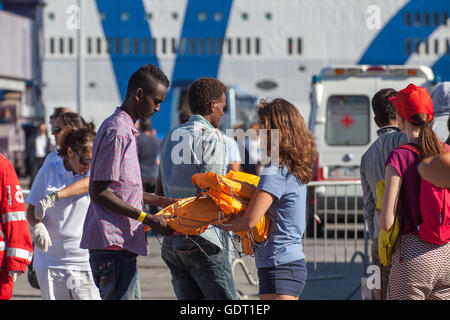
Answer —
(281, 192)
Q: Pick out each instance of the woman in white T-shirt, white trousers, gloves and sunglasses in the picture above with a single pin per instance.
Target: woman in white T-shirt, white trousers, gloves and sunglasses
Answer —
(62, 268)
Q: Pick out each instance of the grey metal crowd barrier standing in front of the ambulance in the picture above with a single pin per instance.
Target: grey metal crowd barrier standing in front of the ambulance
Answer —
(335, 235)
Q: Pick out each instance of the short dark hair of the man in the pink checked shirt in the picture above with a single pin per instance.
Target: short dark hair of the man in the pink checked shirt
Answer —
(147, 77)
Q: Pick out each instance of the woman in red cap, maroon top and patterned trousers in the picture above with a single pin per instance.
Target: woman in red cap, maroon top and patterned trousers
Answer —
(420, 270)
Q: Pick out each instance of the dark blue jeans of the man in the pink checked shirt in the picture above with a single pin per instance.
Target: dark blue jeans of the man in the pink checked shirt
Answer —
(115, 274)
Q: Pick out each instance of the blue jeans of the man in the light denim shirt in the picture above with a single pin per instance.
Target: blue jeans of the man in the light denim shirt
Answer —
(198, 274)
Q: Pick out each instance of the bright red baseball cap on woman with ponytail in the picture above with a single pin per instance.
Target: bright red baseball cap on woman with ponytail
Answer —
(413, 100)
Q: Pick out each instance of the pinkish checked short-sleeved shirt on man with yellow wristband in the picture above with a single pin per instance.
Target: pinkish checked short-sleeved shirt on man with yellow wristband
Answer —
(114, 158)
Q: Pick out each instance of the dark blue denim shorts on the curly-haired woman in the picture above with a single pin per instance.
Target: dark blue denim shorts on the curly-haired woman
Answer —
(289, 278)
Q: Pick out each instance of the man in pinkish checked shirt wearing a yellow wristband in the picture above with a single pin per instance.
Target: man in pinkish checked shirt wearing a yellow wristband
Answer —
(114, 226)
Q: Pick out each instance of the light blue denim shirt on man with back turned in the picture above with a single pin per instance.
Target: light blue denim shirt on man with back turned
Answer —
(192, 147)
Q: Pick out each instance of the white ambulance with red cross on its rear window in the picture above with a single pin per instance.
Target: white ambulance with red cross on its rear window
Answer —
(341, 118)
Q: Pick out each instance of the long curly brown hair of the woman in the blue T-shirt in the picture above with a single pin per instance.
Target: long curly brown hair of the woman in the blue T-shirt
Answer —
(297, 146)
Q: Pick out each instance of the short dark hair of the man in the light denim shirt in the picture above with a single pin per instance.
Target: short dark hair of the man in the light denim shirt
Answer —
(202, 91)
